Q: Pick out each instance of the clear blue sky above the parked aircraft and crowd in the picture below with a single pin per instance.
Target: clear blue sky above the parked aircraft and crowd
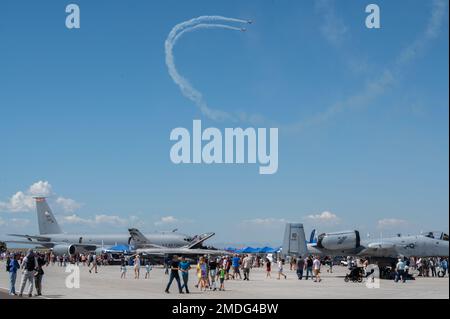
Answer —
(362, 115)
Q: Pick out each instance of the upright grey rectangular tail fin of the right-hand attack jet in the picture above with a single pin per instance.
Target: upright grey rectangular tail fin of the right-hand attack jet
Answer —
(294, 243)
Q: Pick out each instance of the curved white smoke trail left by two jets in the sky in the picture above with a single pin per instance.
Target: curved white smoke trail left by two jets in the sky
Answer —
(186, 88)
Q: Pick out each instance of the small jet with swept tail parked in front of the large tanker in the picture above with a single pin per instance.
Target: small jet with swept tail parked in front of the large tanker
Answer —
(148, 248)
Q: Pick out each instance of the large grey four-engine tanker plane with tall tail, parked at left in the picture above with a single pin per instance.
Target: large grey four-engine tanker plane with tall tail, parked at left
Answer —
(51, 236)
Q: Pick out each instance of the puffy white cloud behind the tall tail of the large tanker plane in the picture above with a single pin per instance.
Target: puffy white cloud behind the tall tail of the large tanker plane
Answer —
(22, 201)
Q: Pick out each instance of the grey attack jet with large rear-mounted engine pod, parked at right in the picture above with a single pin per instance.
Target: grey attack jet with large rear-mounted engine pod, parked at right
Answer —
(349, 243)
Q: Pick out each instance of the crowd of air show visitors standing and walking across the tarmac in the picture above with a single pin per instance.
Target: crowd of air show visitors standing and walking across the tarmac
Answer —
(211, 272)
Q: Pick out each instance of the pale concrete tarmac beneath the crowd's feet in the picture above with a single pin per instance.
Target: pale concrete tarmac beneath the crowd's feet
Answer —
(108, 284)
